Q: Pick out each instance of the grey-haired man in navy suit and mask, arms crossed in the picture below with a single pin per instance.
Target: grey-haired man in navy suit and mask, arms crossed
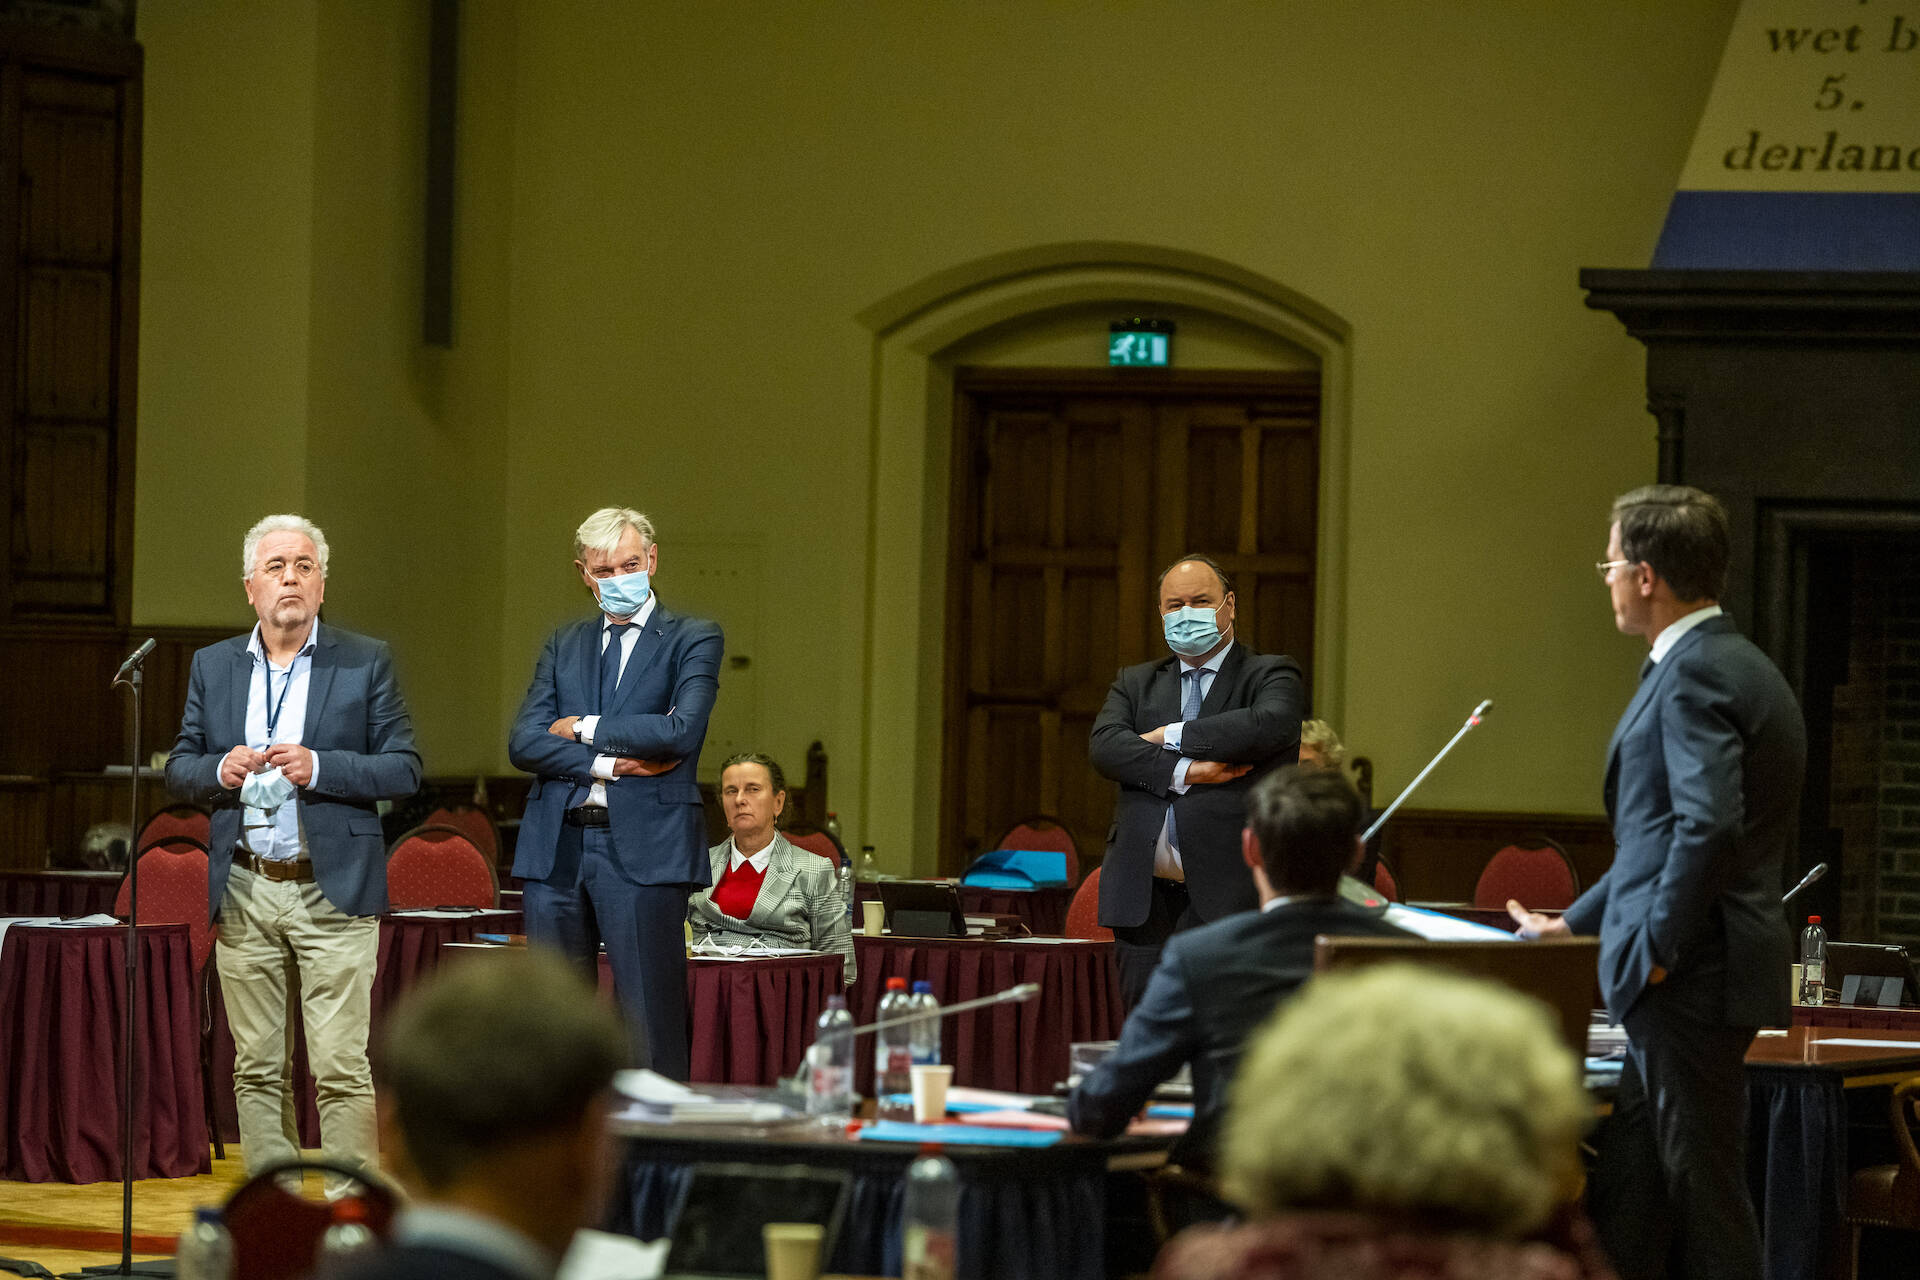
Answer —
(613, 838)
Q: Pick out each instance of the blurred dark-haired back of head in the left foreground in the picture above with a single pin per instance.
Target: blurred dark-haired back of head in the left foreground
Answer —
(500, 1068)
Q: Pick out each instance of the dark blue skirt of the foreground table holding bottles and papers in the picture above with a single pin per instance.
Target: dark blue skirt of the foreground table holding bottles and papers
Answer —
(1024, 1227)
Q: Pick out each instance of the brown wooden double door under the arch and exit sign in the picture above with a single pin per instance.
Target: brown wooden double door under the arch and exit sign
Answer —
(1070, 492)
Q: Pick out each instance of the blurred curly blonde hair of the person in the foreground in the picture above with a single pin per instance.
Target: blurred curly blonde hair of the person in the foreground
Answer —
(1403, 1089)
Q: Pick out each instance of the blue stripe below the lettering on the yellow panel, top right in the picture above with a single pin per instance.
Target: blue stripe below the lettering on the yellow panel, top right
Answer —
(1792, 231)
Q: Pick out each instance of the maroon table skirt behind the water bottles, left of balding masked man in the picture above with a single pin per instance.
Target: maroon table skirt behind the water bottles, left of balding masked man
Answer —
(1013, 1047)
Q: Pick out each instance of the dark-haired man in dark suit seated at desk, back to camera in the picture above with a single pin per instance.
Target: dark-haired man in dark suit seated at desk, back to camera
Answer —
(1218, 984)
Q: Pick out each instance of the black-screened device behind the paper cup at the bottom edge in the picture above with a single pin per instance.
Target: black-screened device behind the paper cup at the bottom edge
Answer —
(723, 1210)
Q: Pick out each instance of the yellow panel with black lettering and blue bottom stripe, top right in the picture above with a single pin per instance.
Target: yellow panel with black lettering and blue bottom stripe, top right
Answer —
(1808, 156)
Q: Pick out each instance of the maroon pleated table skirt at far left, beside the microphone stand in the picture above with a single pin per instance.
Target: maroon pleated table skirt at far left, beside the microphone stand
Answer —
(62, 1020)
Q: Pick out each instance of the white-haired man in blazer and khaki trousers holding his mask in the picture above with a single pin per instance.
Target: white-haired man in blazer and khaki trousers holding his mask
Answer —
(291, 736)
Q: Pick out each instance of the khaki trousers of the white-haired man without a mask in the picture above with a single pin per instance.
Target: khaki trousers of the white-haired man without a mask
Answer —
(274, 934)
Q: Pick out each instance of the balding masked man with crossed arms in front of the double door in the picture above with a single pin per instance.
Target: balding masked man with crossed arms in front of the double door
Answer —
(1186, 738)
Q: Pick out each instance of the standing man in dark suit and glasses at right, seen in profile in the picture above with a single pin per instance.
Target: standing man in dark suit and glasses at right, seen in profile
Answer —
(1704, 782)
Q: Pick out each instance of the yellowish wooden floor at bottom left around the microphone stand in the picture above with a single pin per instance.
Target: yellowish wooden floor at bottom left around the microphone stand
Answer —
(66, 1227)
